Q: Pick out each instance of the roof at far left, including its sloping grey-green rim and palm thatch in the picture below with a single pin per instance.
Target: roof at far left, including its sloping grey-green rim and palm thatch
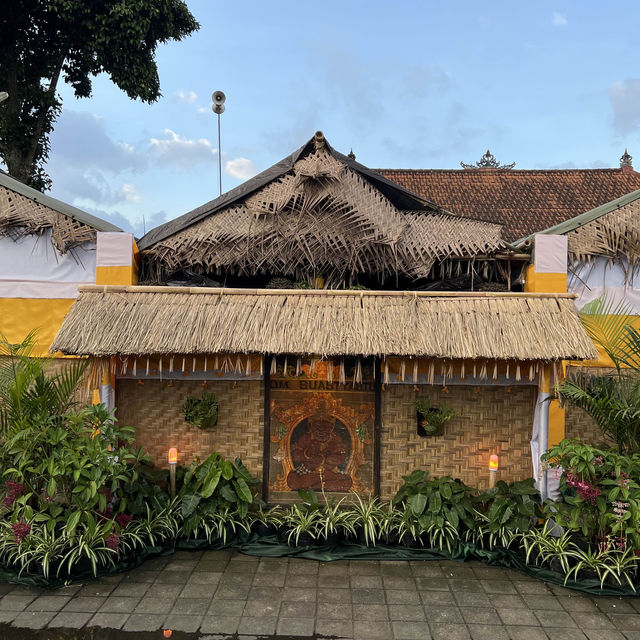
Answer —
(25, 211)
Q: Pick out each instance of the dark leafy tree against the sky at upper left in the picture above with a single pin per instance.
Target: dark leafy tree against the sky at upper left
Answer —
(43, 41)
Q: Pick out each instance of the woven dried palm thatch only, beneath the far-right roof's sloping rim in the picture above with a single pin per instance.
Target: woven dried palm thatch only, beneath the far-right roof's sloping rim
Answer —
(612, 235)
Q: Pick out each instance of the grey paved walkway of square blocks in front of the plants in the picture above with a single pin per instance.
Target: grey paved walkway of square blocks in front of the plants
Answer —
(220, 593)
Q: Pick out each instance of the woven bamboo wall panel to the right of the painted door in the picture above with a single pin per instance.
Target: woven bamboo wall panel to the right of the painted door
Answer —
(491, 421)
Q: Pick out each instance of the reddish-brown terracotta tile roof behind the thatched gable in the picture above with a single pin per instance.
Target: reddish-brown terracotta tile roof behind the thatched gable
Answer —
(524, 201)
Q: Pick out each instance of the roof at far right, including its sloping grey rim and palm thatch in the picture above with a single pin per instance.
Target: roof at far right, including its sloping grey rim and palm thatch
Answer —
(611, 231)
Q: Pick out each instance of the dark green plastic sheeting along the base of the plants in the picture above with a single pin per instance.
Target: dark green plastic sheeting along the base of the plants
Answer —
(270, 546)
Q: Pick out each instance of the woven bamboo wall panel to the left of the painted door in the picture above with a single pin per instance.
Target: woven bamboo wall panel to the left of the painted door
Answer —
(154, 409)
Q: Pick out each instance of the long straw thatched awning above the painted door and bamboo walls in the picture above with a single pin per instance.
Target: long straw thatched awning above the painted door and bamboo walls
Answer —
(114, 320)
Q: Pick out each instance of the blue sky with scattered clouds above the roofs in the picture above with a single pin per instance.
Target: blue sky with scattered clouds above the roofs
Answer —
(405, 84)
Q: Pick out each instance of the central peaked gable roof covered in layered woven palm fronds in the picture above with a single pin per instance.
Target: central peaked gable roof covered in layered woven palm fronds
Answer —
(315, 213)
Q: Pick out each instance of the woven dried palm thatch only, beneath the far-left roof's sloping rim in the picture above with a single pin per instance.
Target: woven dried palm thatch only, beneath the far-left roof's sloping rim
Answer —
(20, 216)
